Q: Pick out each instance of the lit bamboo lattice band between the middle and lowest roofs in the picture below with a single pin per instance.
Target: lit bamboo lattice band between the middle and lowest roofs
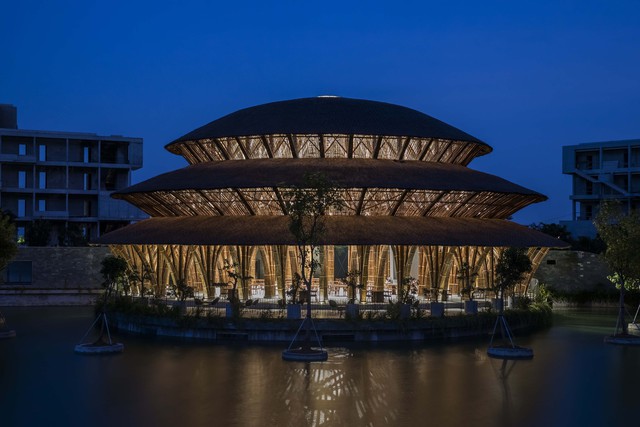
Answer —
(355, 201)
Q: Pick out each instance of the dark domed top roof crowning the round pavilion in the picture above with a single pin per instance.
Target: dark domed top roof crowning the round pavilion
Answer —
(328, 115)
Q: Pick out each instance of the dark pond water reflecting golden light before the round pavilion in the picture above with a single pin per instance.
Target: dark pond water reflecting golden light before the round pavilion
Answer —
(574, 380)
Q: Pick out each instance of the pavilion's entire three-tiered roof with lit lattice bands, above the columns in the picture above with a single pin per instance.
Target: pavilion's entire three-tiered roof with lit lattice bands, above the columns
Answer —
(401, 174)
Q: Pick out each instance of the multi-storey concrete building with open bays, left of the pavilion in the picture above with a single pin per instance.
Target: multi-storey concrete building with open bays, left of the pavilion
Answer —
(65, 178)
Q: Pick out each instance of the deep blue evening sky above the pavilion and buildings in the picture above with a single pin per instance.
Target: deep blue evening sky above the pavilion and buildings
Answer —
(524, 76)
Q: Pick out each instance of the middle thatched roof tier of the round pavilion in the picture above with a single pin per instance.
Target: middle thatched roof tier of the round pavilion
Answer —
(344, 173)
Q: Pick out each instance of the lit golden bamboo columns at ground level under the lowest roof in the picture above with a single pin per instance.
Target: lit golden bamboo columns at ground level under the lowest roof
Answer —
(202, 267)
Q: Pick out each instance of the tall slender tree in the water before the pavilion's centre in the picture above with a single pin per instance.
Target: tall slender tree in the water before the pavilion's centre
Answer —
(307, 205)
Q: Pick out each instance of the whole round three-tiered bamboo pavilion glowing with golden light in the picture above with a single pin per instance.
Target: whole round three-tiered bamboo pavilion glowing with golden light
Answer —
(411, 206)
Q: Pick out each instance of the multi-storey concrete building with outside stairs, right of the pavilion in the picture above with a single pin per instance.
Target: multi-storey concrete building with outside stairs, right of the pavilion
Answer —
(607, 170)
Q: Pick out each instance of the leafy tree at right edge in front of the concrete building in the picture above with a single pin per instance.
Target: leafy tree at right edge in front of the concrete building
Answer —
(621, 233)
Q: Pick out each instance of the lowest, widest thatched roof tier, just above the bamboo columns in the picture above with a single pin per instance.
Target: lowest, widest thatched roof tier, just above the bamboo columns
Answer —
(340, 230)
